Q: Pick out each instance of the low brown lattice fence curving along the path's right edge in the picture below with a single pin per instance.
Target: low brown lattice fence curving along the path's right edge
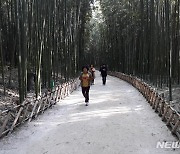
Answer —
(157, 102)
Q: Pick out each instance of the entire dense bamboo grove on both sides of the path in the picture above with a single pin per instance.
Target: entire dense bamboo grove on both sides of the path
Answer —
(54, 38)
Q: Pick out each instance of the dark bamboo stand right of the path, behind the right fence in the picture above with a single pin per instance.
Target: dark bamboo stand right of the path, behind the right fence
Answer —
(141, 38)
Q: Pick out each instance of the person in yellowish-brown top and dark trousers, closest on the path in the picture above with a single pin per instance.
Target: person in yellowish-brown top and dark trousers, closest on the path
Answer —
(85, 79)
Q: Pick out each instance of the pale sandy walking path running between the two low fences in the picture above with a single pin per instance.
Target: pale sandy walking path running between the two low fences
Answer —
(117, 121)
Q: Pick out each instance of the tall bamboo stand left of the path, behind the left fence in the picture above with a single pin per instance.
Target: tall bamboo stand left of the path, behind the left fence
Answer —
(44, 37)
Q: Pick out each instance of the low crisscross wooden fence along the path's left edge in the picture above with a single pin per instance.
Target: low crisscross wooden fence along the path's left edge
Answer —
(11, 118)
